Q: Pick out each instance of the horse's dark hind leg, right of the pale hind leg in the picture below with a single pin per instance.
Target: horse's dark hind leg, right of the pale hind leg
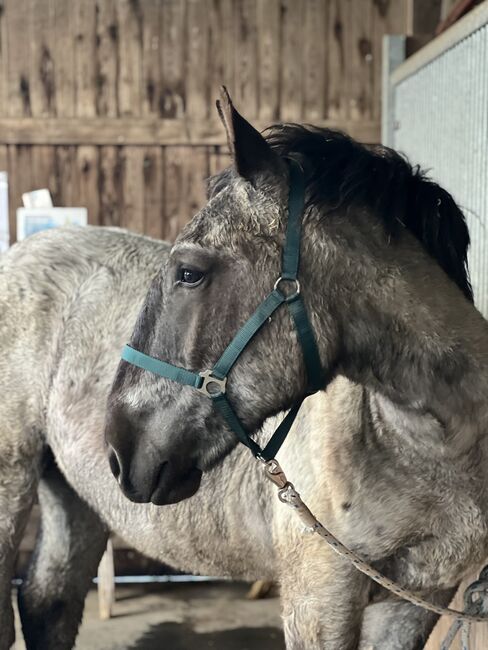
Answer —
(68, 549)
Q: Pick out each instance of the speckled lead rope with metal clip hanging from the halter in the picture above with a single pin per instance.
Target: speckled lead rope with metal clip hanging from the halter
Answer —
(475, 596)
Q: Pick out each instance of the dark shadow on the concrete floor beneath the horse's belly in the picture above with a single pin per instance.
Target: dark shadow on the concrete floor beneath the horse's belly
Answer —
(179, 636)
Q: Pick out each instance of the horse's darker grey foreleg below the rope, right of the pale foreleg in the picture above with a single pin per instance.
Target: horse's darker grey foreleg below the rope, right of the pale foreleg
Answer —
(395, 624)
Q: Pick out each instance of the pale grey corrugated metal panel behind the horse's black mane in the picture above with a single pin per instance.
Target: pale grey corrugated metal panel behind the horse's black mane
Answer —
(441, 122)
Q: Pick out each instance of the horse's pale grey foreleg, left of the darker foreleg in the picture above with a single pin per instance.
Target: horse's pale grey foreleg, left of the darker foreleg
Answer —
(323, 597)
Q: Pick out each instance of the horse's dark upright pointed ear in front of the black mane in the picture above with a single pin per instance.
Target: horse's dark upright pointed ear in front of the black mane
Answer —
(250, 152)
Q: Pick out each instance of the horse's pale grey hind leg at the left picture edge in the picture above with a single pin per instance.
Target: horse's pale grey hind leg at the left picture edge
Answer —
(19, 463)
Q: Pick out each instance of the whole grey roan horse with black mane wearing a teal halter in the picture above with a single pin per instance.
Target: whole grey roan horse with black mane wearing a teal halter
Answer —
(391, 456)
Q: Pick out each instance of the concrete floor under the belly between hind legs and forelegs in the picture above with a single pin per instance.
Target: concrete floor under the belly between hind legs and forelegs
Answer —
(181, 617)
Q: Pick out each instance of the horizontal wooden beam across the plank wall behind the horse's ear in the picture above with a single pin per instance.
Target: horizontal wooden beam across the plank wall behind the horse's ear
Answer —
(144, 131)
